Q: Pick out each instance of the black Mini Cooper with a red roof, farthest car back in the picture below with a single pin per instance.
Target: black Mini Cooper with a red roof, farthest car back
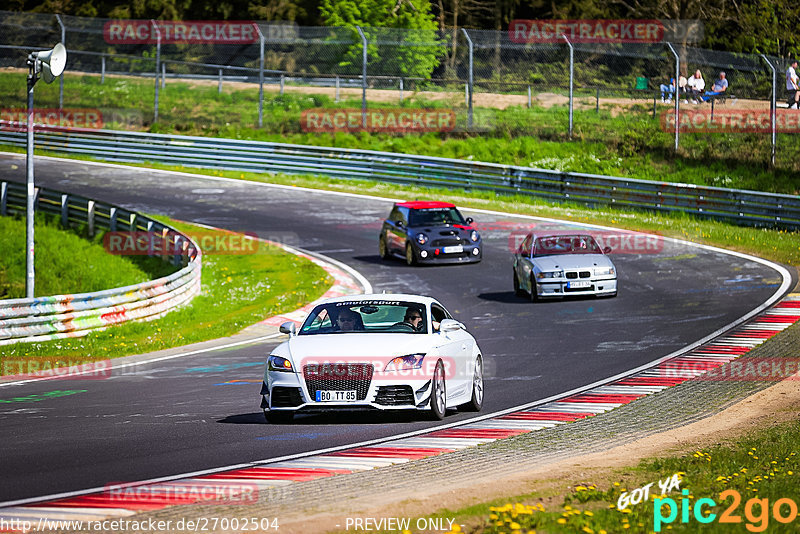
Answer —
(429, 232)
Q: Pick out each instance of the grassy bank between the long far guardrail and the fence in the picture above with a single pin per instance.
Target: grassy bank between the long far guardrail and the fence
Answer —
(617, 141)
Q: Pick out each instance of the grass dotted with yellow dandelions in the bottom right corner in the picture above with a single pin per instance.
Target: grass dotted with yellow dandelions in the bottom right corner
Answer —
(762, 465)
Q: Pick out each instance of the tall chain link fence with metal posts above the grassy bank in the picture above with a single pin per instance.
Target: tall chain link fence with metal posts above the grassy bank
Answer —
(138, 75)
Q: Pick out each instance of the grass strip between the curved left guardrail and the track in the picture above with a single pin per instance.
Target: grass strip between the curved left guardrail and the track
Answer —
(237, 291)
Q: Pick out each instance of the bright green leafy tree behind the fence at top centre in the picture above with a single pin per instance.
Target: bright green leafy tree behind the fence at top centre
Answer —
(414, 52)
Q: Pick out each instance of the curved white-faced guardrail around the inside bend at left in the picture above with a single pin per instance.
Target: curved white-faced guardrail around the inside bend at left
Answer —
(61, 316)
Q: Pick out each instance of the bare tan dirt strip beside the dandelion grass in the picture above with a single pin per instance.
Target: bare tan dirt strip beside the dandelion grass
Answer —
(775, 405)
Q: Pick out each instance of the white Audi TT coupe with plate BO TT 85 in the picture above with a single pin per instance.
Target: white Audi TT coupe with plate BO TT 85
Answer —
(374, 352)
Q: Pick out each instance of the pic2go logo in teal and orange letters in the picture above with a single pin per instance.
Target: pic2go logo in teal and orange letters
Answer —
(756, 511)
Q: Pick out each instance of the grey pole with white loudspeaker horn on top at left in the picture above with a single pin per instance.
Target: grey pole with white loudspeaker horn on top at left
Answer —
(49, 65)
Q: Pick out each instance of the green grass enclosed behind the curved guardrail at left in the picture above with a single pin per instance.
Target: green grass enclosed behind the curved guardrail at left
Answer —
(66, 263)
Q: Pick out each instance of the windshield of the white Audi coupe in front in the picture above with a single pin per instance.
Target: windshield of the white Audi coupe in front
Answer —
(374, 316)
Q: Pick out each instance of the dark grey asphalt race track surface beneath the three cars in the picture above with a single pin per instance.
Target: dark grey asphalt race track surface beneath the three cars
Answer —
(202, 411)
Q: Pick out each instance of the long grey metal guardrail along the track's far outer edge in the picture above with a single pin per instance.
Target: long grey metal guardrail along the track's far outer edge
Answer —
(739, 206)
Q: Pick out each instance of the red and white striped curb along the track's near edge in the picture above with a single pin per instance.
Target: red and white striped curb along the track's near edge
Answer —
(272, 475)
